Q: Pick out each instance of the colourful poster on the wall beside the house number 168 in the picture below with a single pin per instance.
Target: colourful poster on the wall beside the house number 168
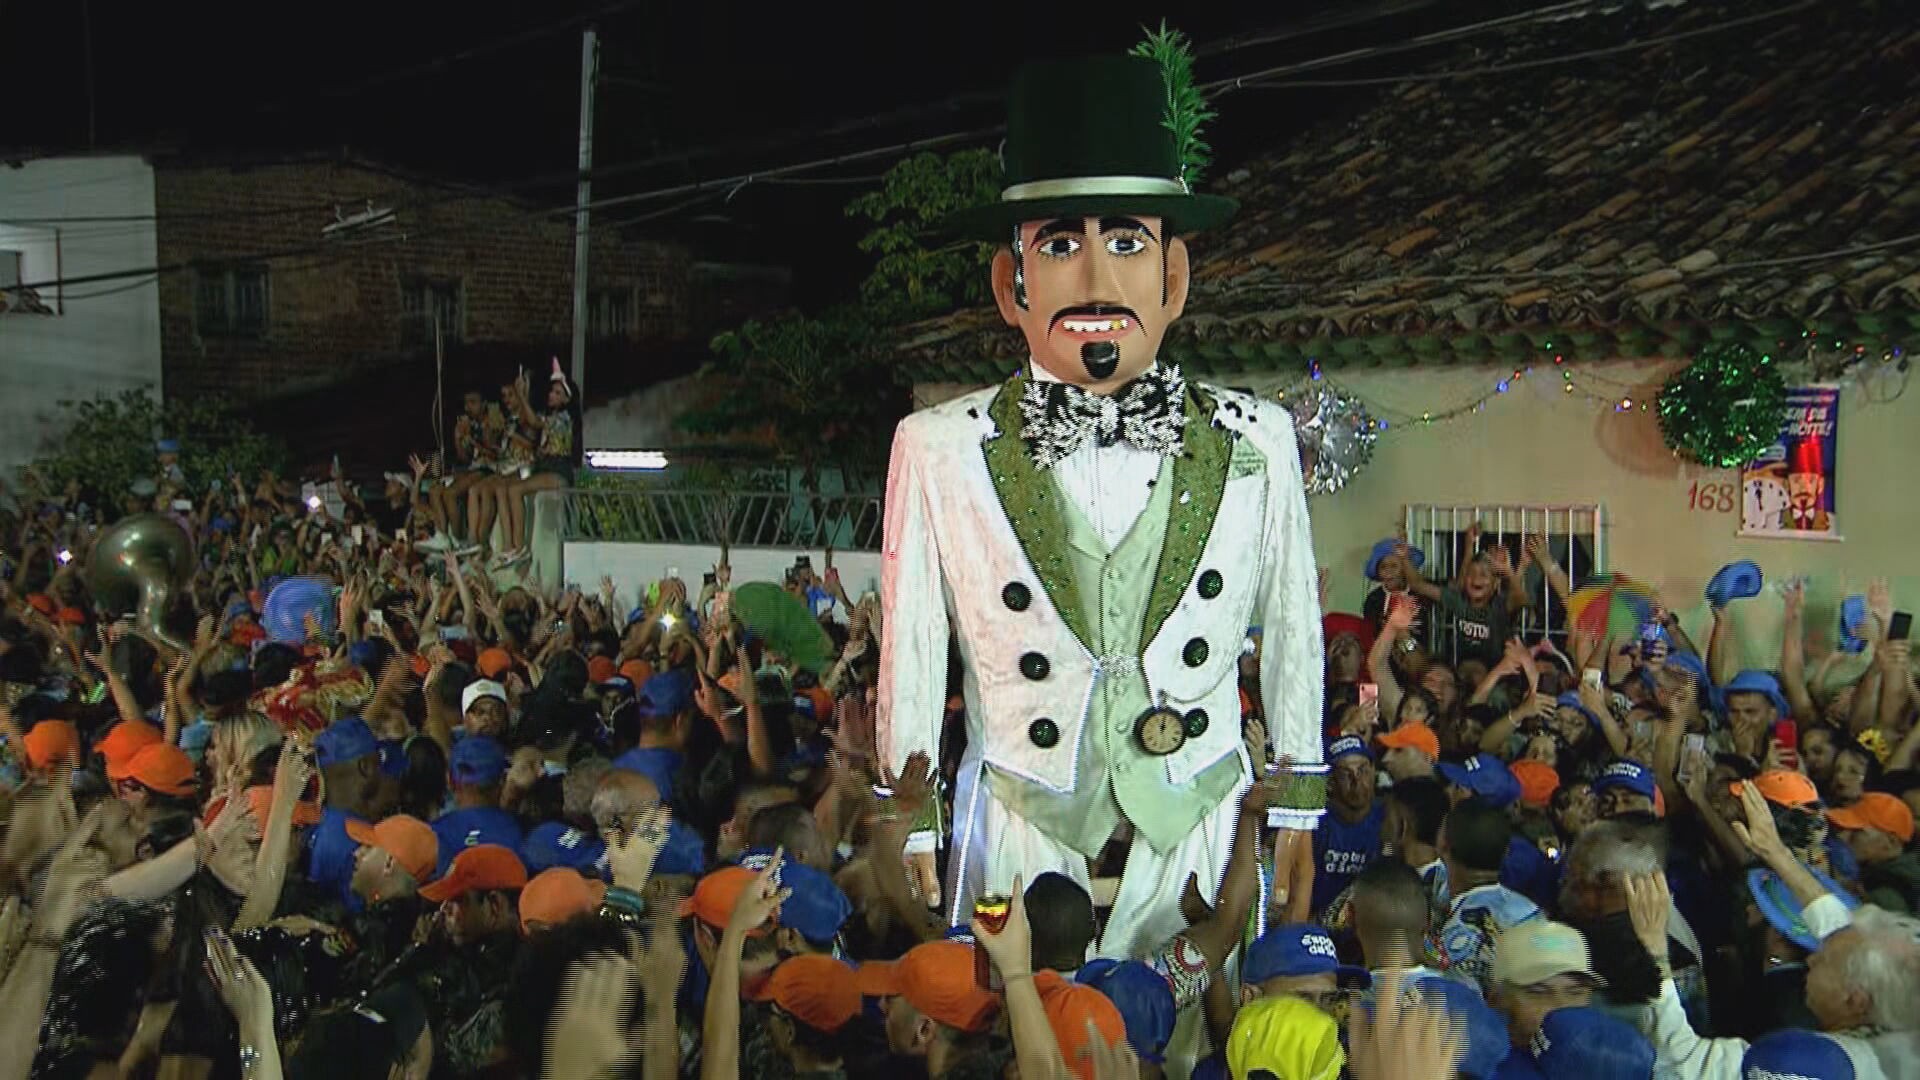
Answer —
(1788, 491)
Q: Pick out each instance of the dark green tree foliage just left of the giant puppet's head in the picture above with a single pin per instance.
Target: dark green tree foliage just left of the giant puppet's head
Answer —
(823, 387)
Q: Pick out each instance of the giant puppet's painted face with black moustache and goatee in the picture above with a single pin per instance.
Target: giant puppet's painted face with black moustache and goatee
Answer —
(1093, 295)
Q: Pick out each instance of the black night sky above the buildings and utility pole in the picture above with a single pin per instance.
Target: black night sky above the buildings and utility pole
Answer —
(489, 93)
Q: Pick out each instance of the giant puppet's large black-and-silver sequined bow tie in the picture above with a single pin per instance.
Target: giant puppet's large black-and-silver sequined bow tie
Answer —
(1147, 412)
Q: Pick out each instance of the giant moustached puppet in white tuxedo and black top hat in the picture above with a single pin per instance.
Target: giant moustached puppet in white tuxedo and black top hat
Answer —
(1099, 533)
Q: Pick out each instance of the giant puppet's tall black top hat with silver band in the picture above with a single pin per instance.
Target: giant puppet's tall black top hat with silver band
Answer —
(1086, 139)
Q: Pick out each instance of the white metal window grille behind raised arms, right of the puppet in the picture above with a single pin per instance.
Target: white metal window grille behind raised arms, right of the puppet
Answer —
(1575, 535)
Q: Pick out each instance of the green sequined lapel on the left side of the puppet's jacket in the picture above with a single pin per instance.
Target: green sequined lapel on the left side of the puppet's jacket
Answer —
(1032, 504)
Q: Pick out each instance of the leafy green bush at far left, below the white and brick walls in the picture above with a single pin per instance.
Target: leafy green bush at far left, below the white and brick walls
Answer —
(108, 443)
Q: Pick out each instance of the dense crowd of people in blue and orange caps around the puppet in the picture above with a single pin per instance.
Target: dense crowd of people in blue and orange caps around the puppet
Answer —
(370, 804)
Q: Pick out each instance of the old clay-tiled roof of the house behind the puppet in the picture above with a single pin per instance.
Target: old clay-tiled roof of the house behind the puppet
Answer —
(1744, 182)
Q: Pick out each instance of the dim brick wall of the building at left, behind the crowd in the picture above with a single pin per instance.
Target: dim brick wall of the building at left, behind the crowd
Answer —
(337, 307)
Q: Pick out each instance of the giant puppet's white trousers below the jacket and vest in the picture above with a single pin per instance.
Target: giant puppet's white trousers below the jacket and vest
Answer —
(992, 845)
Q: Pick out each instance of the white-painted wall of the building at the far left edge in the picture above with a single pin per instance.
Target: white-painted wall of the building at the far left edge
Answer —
(108, 337)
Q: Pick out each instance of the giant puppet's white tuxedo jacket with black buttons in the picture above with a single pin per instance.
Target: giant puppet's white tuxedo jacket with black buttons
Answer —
(955, 562)
